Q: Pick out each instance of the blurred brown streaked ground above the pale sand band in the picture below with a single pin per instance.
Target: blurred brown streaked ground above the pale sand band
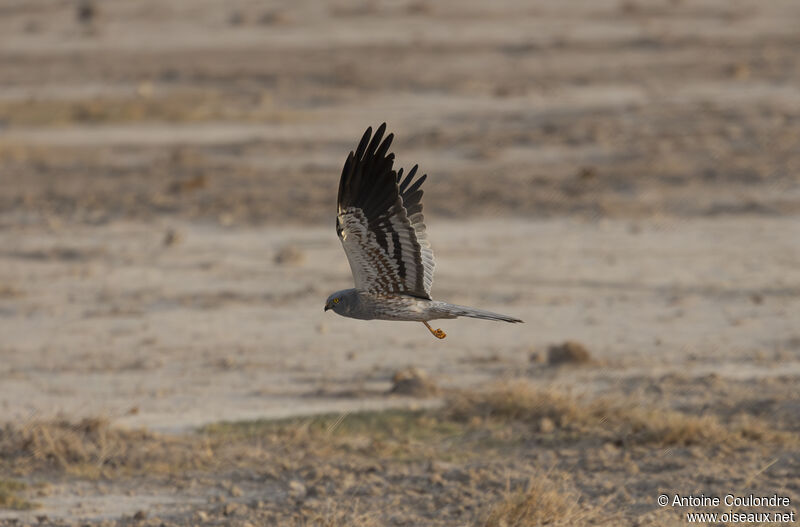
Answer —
(243, 112)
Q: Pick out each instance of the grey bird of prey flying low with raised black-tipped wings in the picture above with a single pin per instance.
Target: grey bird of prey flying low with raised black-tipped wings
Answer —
(380, 224)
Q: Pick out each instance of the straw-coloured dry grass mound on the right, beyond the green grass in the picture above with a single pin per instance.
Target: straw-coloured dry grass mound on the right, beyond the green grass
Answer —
(606, 419)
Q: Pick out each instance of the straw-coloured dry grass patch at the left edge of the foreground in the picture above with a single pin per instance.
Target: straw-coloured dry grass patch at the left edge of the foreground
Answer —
(91, 448)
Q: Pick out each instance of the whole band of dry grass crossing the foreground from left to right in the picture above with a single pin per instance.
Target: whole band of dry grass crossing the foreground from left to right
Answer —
(496, 419)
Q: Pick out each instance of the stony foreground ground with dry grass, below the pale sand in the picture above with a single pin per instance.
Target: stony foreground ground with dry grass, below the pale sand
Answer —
(511, 454)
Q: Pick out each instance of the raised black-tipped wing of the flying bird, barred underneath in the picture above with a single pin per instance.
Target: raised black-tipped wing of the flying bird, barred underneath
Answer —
(380, 221)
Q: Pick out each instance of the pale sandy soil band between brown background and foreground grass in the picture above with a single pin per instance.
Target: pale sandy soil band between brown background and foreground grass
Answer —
(103, 320)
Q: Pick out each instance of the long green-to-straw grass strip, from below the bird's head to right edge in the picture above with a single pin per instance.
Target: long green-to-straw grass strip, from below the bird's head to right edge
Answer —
(492, 421)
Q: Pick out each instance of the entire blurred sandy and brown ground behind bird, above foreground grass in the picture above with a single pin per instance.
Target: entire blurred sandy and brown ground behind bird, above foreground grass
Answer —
(622, 174)
